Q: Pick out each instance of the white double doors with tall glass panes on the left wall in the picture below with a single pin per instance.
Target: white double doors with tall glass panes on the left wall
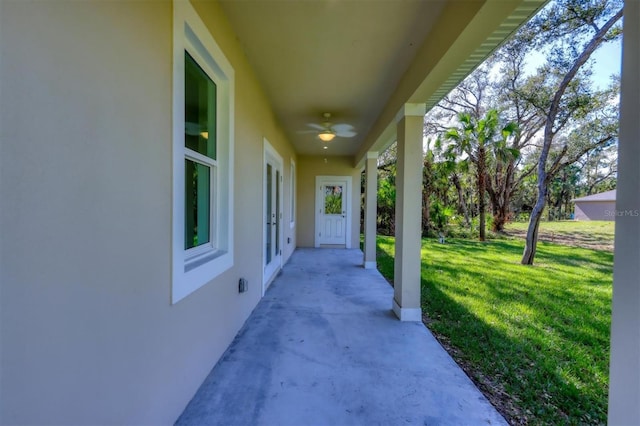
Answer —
(272, 214)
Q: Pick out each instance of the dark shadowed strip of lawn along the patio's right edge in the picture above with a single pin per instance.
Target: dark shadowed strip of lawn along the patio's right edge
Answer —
(515, 372)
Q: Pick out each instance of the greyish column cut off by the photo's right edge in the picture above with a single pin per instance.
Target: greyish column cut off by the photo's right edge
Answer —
(624, 370)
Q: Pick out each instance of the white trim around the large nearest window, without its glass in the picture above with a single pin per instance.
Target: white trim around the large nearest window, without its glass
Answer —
(191, 269)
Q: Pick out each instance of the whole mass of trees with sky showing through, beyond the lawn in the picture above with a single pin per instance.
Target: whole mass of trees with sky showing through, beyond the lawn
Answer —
(560, 142)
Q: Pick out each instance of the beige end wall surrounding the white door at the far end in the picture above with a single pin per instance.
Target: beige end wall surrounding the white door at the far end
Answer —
(310, 167)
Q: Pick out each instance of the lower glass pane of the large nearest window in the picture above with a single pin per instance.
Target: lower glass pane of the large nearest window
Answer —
(197, 179)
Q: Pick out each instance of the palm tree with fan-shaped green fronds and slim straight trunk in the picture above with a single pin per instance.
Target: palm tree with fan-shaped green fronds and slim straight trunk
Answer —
(483, 142)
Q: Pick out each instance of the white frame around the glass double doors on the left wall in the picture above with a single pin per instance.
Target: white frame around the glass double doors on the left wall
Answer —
(271, 156)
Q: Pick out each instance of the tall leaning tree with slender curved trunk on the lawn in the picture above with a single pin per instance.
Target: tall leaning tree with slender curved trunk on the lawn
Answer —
(571, 30)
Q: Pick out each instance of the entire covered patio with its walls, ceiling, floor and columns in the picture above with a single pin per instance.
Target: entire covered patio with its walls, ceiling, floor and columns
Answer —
(113, 309)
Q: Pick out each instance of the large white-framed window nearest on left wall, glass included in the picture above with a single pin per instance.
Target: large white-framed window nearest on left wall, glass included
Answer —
(202, 155)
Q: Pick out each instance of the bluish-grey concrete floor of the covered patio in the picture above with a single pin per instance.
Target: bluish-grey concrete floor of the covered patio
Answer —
(324, 348)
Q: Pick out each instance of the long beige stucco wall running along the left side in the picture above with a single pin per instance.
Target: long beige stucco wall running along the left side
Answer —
(88, 332)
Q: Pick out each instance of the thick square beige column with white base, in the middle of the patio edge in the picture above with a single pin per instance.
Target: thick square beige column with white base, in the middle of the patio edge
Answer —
(406, 279)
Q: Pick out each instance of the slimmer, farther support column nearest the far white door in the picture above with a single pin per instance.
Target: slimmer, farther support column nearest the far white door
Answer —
(370, 209)
